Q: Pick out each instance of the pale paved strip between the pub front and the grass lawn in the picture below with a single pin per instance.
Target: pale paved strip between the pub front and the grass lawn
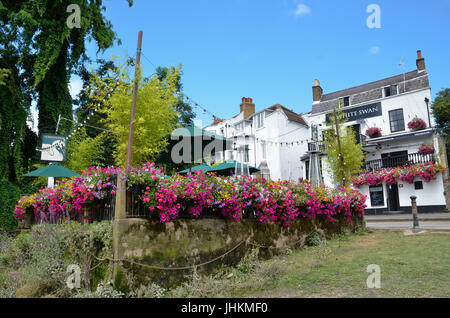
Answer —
(427, 221)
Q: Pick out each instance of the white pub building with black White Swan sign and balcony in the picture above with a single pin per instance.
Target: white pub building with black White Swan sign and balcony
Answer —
(389, 104)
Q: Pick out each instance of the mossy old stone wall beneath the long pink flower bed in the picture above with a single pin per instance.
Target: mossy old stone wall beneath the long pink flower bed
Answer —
(187, 242)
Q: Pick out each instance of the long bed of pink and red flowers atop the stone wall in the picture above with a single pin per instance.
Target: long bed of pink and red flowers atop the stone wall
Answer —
(197, 194)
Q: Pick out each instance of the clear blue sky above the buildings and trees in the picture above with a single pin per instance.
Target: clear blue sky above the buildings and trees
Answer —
(272, 50)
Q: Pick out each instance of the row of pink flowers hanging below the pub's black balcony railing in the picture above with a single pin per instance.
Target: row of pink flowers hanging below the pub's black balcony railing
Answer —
(424, 171)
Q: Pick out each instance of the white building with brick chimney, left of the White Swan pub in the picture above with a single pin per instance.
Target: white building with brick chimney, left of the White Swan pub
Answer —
(270, 139)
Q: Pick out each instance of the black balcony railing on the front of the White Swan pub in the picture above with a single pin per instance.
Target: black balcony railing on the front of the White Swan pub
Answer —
(398, 161)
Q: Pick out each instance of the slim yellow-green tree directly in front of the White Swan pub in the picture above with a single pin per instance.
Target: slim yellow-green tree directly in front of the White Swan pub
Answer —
(351, 150)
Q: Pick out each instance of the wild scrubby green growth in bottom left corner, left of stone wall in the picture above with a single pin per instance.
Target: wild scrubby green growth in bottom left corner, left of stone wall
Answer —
(39, 258)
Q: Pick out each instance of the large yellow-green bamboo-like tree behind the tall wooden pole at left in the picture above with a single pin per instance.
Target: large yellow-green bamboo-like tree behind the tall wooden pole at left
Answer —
(155, 117)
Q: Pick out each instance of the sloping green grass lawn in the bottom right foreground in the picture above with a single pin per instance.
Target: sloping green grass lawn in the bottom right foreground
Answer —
(411, 266)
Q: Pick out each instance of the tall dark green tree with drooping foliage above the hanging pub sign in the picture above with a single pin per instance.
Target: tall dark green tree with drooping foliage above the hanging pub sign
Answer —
(55, 48)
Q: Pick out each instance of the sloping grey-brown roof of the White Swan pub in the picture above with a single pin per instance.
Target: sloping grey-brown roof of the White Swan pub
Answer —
(328, 101)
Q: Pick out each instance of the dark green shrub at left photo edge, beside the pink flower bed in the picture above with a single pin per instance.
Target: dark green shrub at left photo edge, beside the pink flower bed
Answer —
(9, 195)
